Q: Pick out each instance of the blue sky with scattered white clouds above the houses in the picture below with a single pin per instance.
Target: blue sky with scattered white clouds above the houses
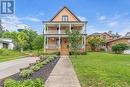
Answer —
(102, 15)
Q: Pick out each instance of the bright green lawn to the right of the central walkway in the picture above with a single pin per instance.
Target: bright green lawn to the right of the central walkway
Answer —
(103, 70)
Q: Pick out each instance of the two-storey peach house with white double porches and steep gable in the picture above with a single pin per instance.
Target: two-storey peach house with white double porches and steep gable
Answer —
(55, 38)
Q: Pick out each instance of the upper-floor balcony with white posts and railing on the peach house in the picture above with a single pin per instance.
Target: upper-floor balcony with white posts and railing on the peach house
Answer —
(60, 28)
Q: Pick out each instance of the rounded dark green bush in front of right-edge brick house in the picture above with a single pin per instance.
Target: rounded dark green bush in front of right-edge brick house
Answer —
(120, 48)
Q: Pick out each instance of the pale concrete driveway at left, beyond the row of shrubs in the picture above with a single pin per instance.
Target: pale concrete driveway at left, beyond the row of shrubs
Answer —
(11, 67)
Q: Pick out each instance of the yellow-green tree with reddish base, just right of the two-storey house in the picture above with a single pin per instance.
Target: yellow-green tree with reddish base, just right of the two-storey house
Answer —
(95, 42)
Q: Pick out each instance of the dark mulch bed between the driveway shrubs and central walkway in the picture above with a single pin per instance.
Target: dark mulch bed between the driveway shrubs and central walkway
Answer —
(42, 73)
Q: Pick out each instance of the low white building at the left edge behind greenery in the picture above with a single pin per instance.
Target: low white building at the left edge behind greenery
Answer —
(6, 43)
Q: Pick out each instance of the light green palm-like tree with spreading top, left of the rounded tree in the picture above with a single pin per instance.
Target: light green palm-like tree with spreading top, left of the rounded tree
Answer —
(31, 36)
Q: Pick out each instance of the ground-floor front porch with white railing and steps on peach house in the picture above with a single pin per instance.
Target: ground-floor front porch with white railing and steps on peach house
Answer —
(61, 44)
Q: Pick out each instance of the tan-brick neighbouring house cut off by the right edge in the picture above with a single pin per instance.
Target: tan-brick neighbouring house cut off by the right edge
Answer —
(124, 39)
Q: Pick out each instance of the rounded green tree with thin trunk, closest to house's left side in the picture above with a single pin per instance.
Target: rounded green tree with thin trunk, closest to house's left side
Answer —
(38, 42)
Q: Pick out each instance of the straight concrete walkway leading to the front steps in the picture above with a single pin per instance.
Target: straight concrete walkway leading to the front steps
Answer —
(63, 75)
